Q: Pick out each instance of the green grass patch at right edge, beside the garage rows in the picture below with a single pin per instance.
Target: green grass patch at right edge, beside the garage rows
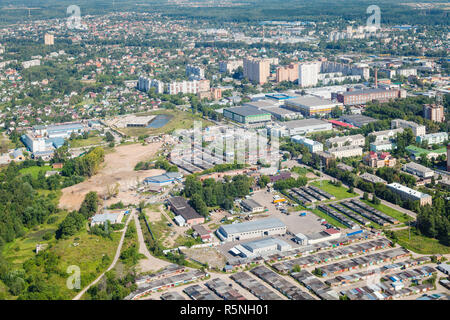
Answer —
(419, 243)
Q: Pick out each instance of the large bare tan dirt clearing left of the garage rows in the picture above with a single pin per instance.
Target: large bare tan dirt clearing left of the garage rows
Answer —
(117, 168)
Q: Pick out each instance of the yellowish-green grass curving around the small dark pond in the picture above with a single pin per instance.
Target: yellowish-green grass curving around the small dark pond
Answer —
(179, 120)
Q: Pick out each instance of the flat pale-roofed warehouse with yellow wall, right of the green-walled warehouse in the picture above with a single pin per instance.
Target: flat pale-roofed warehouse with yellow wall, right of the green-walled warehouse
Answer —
(310, 105)
